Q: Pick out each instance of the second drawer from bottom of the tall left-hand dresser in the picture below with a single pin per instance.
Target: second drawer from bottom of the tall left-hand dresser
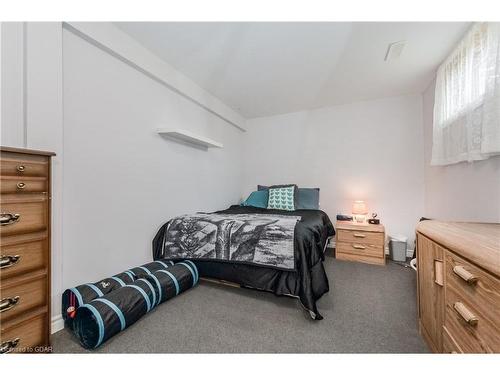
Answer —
(18, 295)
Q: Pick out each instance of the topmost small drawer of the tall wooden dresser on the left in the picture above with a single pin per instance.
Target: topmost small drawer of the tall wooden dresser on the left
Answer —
(23, 165)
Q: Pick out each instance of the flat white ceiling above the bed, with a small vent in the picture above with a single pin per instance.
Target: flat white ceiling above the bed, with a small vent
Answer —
(262, 69)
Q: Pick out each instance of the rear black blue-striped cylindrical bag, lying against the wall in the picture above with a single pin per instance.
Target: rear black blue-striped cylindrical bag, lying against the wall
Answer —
(74, 297)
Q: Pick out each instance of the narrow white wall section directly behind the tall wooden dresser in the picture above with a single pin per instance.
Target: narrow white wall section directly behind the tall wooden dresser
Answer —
(32, 110)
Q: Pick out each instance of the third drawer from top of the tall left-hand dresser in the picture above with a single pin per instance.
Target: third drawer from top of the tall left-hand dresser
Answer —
(23, 217)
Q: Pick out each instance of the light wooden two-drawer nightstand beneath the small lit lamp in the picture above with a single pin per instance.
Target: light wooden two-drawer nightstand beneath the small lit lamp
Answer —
(362, 243)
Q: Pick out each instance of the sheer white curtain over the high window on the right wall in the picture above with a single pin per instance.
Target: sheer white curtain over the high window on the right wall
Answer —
(467, 99)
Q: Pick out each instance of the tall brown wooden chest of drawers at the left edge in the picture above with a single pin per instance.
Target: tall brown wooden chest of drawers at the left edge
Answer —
(25, 251)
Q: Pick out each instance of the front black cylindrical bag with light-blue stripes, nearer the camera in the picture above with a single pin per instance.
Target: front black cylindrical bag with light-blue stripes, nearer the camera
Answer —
(98, 320)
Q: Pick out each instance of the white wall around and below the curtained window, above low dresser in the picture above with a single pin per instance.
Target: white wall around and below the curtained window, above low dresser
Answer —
(462, 191)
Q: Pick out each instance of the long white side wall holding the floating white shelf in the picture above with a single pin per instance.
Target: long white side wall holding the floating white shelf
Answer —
(121, 179)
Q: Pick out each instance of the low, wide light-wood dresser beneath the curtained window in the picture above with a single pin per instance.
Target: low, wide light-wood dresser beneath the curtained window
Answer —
(459, 286)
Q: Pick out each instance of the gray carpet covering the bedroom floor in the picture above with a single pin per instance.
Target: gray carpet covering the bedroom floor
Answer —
(369, 309)
